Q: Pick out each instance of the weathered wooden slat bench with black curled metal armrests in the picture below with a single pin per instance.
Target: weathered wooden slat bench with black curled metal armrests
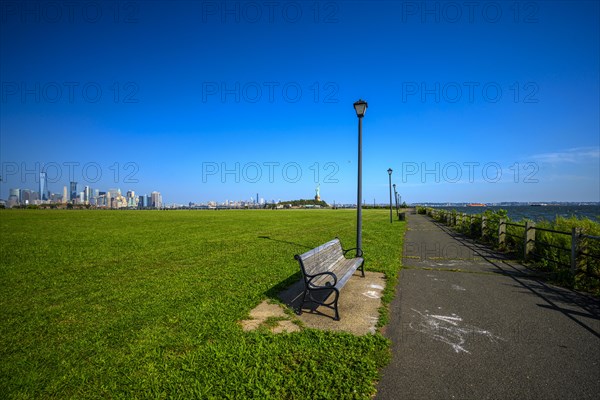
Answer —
(326, 270)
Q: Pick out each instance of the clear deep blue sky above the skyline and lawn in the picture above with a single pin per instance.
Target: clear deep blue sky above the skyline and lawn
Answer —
(205, 100)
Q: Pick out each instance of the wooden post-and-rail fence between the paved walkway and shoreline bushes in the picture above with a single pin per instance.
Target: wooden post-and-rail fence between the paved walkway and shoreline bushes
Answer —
(527, 239)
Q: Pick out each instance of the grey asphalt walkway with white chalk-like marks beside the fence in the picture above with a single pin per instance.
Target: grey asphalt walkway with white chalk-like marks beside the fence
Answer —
(467, 323)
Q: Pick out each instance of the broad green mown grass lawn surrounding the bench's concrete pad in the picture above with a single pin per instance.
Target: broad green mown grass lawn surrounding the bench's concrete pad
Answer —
(146, 304)
